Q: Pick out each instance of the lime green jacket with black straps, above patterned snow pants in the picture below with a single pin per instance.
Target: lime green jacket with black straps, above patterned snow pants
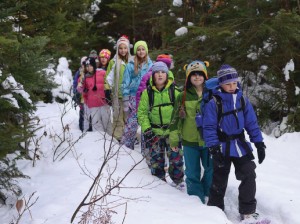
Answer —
(159, 115)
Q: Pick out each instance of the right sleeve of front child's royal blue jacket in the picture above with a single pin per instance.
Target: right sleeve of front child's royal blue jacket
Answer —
(251, 124)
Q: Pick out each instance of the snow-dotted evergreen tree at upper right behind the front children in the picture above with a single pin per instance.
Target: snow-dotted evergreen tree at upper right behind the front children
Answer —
(249, 38)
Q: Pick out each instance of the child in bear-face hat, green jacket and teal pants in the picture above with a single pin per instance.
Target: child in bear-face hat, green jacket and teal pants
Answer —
(184, 129)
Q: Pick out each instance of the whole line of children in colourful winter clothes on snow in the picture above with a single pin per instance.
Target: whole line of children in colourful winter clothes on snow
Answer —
(143, 93)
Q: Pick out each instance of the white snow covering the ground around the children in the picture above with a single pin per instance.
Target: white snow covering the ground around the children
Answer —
(62, 177)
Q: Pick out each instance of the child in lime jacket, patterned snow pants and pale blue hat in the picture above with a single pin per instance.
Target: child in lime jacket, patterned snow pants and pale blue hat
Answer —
(155, 123)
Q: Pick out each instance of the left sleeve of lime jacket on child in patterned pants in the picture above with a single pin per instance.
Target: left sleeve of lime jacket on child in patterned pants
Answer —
(143, 109)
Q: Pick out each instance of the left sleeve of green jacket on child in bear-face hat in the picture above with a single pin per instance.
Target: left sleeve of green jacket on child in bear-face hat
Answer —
(174, 135)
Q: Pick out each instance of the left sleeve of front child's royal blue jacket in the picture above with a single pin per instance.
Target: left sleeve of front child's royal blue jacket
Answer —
(210, 124)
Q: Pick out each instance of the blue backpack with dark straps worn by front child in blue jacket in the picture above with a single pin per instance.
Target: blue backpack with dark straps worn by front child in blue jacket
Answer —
(207, 95)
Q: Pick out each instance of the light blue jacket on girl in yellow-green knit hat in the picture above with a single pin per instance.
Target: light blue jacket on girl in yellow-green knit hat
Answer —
(131, 81)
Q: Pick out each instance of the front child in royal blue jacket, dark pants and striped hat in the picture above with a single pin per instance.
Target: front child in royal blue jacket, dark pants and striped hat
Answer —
(224, 136)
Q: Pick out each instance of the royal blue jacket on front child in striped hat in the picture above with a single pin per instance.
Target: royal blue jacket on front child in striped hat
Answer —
(229, 124)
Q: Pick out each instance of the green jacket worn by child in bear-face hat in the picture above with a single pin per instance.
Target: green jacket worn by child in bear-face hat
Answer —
(186, 129)
